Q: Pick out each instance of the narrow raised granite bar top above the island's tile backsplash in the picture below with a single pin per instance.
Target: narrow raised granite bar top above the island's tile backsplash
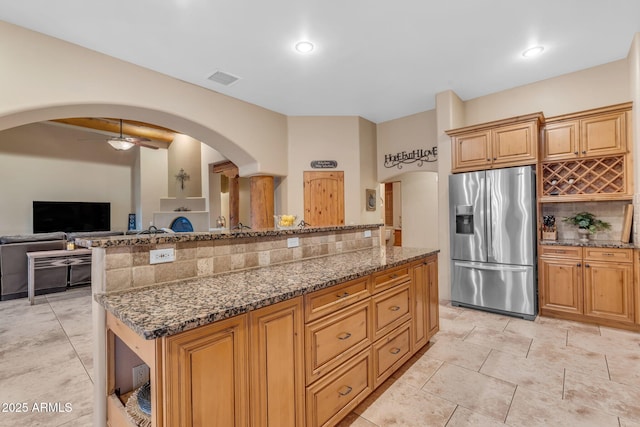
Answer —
(146, 237)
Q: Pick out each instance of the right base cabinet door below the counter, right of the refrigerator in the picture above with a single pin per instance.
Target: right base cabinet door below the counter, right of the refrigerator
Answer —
(609, 290)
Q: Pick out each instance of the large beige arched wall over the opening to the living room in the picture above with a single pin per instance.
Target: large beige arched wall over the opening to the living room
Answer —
(65, 80)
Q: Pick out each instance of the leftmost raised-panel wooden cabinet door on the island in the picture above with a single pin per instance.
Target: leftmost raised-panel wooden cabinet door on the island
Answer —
(206, 375)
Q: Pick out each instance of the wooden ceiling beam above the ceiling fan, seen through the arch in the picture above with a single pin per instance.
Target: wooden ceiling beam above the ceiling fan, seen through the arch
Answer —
(129, 128)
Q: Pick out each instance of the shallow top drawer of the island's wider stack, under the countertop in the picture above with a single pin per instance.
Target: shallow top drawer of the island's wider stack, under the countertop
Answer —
(327, 301)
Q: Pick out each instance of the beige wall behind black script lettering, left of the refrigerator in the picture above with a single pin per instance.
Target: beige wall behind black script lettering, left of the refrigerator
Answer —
(406, 134)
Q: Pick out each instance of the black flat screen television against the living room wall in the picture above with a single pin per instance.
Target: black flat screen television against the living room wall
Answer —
(71, 216)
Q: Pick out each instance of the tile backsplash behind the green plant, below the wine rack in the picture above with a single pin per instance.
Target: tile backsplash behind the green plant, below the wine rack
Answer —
(610, 211)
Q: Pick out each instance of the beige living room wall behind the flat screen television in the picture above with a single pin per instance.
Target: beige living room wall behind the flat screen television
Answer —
(46, 162)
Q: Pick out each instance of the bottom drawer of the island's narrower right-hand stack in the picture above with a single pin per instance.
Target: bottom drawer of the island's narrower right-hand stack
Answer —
(391, 352)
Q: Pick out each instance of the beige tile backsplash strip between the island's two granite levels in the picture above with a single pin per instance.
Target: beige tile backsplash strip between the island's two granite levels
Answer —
(127, 267)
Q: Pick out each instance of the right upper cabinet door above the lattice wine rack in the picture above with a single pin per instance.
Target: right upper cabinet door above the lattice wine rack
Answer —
(603, 135)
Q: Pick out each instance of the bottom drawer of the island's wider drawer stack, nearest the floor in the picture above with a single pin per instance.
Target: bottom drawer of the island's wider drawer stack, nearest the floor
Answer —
(337, 394)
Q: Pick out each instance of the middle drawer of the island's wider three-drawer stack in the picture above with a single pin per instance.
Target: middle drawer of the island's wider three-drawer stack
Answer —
(333, 339)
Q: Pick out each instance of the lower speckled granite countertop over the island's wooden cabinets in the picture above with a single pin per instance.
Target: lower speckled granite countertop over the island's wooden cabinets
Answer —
(174, 307)
